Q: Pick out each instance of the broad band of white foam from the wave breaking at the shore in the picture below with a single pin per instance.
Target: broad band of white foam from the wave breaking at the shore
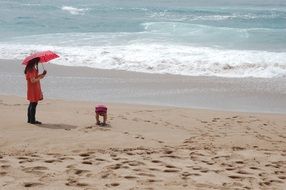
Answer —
(164, 59)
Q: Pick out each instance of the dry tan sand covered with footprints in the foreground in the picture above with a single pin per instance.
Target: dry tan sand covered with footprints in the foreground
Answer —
(143, 147)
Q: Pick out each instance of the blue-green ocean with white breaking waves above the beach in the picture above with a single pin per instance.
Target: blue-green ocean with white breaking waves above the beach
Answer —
(210, 38)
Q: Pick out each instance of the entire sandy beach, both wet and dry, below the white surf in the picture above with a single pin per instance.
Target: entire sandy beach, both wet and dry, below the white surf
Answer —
(163, 132)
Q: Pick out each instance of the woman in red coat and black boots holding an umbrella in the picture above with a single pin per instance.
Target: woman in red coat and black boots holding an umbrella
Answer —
(34, 92)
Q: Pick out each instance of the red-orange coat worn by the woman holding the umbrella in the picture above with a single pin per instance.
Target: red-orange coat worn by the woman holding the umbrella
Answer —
(34, 92)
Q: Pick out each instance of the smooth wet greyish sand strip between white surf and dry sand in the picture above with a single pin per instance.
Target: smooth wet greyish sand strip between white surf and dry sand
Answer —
(88, 84)
